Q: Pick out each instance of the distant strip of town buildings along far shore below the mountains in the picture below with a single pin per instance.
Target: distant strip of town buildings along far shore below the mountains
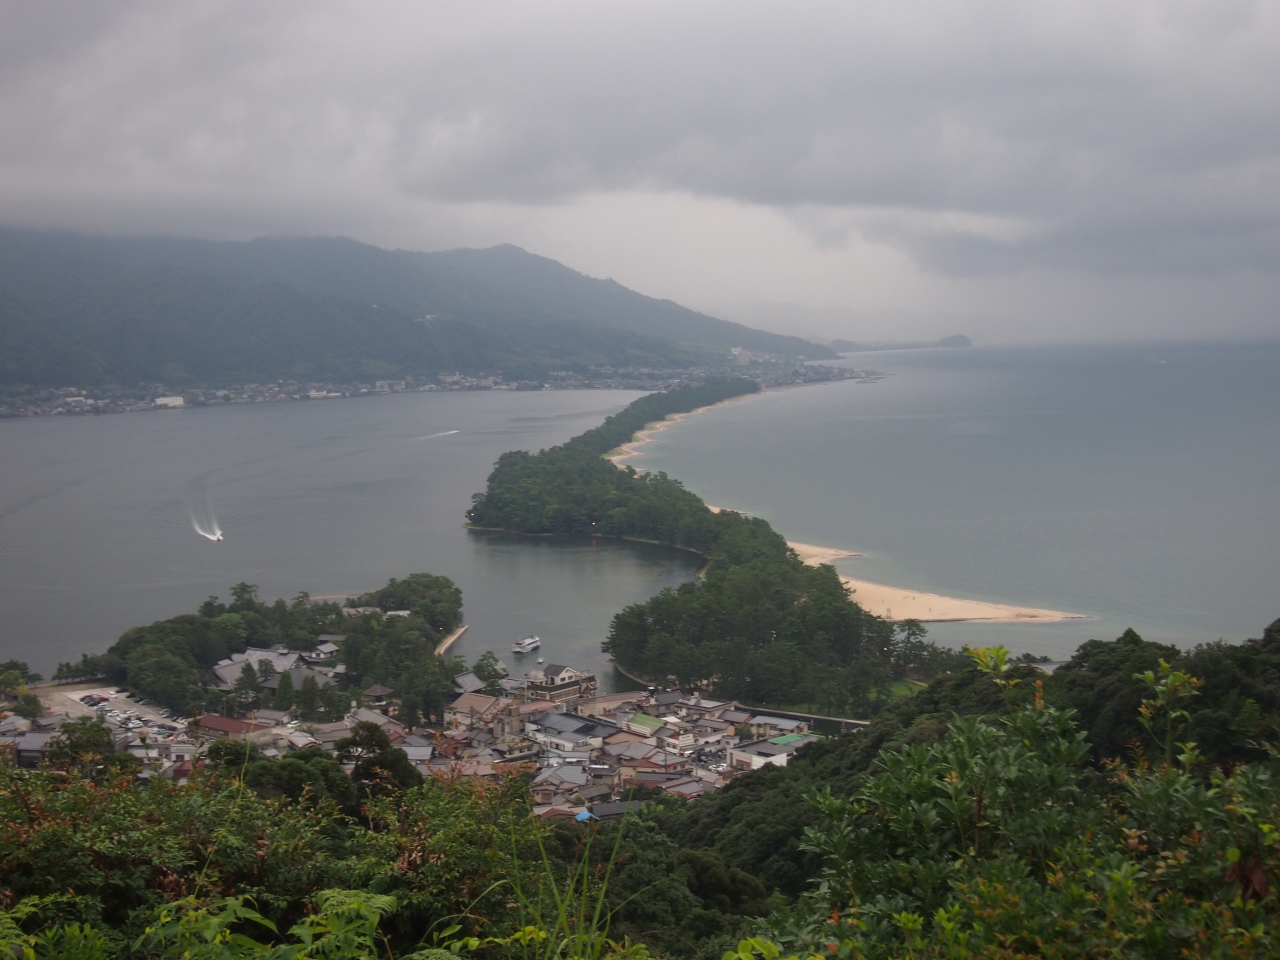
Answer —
(86, 401)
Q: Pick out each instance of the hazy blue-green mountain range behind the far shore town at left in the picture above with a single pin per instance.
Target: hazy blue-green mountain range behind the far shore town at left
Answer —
(95, 310)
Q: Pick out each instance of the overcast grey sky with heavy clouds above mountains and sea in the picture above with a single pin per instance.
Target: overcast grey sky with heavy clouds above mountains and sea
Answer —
(1016, 171)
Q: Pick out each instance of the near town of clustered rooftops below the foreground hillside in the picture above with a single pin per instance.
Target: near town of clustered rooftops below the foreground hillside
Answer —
(586, 753)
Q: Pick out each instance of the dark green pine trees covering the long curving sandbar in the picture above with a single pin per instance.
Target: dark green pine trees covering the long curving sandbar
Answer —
(760, 627)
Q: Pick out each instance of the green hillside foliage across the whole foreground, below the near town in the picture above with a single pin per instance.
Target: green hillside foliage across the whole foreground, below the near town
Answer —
(967, 821)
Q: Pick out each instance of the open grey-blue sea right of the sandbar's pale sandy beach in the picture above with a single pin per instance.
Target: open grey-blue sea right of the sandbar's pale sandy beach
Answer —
(1136, 484)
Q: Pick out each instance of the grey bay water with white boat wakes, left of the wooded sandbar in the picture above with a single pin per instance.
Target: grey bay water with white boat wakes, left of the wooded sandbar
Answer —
(326, 497)
